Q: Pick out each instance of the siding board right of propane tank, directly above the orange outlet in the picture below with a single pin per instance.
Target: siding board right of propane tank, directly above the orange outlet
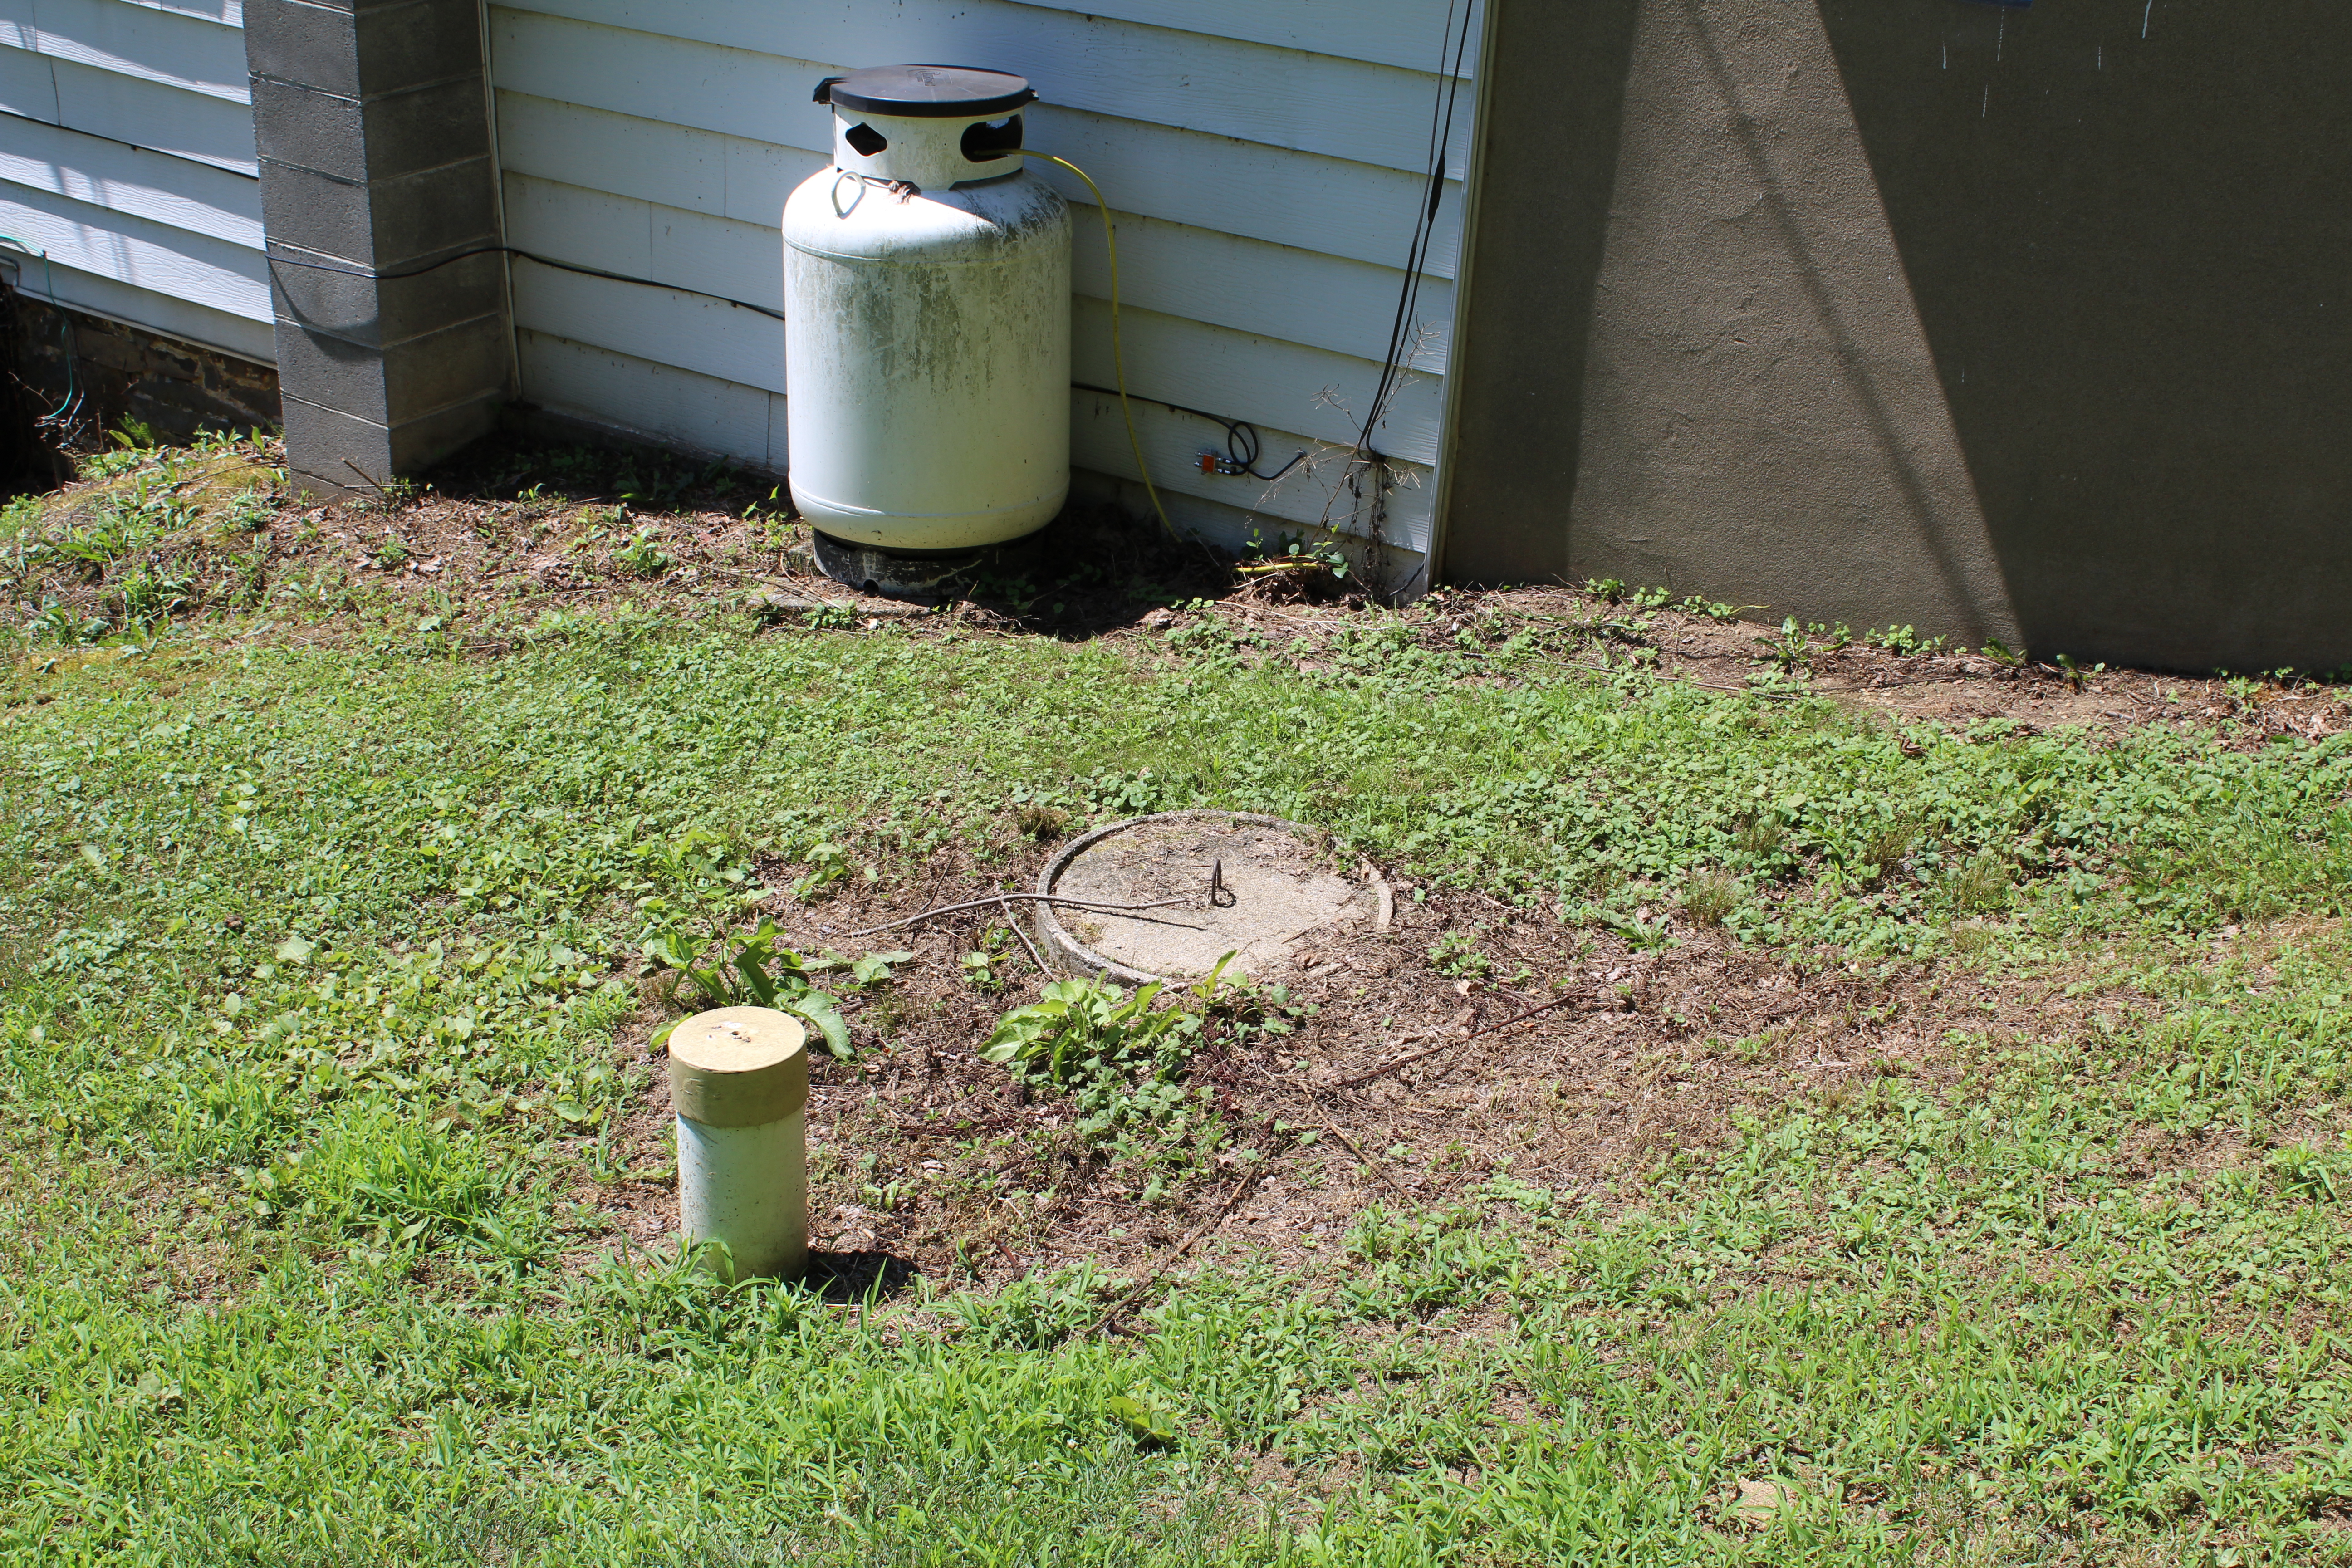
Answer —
(1259, 380)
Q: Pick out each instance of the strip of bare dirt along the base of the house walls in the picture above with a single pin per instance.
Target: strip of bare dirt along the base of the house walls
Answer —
(519, 528)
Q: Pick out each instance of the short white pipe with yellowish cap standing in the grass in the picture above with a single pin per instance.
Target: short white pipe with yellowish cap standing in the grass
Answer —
(740, 1085)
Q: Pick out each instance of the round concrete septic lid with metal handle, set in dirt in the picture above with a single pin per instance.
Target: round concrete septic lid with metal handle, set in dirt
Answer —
(1274, 894)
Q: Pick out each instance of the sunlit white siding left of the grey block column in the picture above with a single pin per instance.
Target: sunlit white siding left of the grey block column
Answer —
(128, 156)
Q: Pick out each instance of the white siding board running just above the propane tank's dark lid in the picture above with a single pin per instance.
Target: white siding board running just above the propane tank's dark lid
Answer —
(1194, 81)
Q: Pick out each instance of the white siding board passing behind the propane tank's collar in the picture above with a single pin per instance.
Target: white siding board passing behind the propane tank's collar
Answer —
(1304, 201)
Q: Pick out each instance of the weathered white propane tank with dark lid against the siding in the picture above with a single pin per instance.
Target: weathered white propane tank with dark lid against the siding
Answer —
(928, 319)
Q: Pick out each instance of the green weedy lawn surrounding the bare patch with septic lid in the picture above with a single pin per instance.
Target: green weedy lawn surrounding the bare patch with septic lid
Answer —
(316, 953)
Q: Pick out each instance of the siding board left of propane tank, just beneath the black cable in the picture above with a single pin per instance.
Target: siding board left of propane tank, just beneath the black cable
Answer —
(657, 326)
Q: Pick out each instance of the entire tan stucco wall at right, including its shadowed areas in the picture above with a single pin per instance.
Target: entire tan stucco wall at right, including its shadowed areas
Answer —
(2003, 323)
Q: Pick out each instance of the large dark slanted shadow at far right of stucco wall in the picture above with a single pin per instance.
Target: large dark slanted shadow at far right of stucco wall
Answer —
(2127, 227)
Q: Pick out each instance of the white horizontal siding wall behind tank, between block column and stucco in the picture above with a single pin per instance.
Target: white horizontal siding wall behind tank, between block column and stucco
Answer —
(1264, 161)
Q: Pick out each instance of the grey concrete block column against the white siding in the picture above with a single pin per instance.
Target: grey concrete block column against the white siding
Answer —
(373, 126)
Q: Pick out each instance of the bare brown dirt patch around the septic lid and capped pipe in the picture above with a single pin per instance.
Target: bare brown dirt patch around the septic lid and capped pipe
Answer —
(1396, 1085)
